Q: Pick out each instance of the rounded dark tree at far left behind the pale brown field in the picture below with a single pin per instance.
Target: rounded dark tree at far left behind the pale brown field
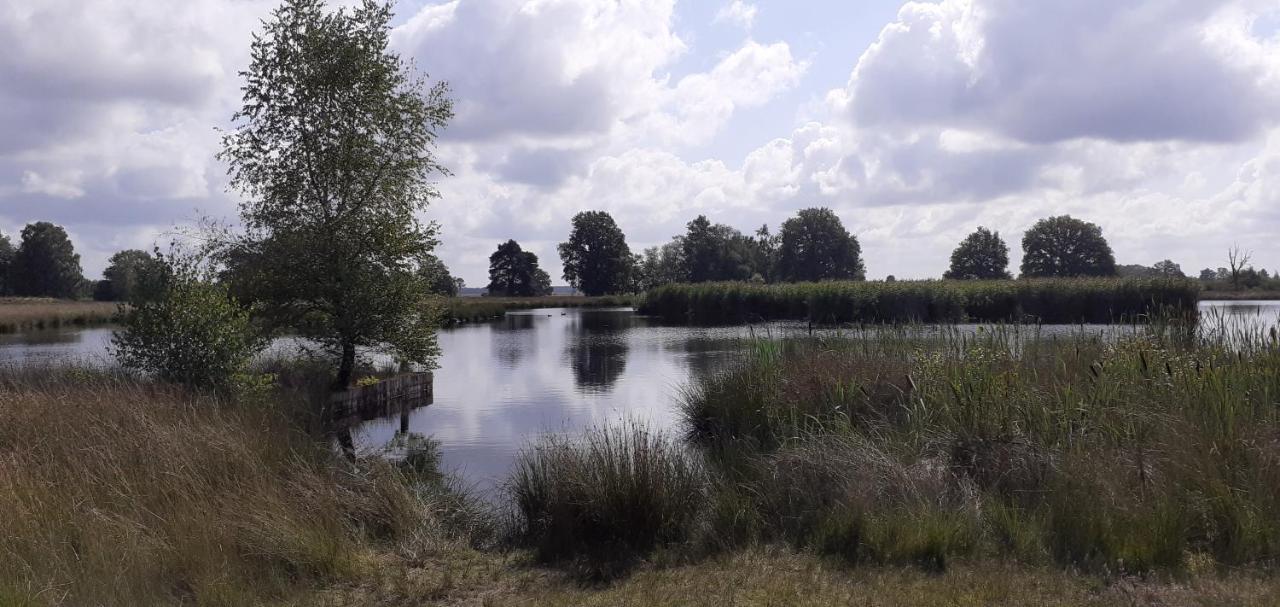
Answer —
(47, 264)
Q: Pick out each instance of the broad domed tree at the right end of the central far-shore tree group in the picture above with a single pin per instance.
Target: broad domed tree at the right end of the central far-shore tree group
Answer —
(816, 247)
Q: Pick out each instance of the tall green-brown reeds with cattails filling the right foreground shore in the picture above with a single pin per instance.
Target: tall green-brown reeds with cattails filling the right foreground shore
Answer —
(1145, 453)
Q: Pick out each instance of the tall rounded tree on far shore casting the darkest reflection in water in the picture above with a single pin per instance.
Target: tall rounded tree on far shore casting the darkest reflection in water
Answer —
(597, 258)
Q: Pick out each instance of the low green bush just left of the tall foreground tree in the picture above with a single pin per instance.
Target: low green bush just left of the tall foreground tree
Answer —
(189, 331)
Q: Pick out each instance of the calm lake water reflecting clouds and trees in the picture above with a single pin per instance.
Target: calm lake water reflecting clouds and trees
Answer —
(504, 384)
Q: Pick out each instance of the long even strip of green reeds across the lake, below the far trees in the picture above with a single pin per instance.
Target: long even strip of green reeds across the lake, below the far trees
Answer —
(925, 302)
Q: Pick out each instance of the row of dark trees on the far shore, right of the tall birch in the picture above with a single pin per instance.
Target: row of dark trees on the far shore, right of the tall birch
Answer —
(811, 247)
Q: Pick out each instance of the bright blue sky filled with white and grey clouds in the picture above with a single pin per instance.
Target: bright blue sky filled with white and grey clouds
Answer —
(917, 122)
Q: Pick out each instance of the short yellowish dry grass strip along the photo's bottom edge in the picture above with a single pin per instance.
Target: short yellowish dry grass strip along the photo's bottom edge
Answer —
(772, 577)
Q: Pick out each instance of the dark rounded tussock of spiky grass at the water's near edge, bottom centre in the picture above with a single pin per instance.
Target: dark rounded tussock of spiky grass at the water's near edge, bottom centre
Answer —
(606, 498)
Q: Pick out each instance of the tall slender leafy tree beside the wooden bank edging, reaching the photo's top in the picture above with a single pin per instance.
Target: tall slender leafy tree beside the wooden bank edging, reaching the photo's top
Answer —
(333, 153)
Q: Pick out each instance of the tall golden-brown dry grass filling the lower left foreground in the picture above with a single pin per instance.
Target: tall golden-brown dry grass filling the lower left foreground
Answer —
(120, 492)
